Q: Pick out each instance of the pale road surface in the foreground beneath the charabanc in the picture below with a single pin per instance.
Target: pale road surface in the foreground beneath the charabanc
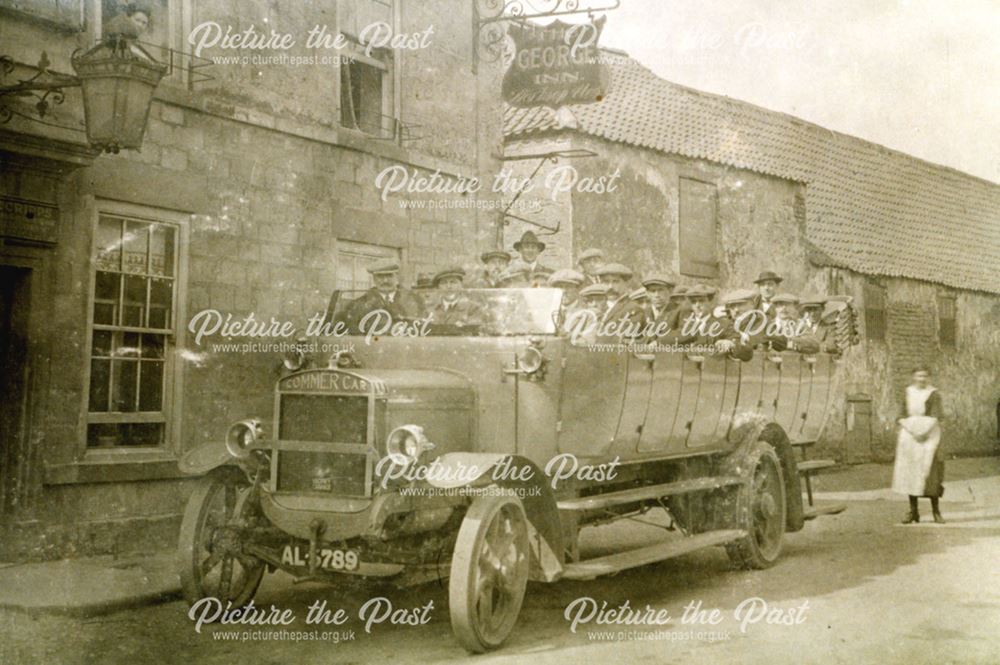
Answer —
(862, 588)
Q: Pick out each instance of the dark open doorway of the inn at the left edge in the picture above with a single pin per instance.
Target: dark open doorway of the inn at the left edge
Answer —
(15, 370)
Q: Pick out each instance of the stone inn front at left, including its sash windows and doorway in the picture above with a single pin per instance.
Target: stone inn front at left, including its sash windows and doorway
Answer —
(254, 192)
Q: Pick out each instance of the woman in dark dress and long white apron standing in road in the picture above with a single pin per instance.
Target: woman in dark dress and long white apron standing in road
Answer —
(919, 469)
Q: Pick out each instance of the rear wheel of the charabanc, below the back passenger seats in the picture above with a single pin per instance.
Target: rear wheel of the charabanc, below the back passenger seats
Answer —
(760, 510)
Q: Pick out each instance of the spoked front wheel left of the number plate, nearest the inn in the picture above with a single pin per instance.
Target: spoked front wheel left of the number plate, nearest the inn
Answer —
(214, 529)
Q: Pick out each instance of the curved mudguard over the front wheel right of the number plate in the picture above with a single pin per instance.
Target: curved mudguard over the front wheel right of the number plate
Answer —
(529, 482)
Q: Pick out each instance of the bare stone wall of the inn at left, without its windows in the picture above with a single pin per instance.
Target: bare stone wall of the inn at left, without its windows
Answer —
(268, 184)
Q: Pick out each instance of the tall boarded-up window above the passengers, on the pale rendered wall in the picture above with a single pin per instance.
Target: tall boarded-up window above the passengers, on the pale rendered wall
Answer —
(698, 232)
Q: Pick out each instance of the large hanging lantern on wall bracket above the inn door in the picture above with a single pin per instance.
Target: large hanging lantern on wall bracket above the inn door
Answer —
(118, 77)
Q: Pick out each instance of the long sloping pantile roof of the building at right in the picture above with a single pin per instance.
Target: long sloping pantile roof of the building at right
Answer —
(870, 209)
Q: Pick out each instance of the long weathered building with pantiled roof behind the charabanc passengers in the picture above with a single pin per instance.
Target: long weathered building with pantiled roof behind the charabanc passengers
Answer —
(715, 190)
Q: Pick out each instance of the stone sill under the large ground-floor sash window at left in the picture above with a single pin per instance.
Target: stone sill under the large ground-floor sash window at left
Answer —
(105, 468)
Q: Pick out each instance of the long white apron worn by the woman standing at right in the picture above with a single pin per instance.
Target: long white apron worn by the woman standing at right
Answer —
(913, 457)
